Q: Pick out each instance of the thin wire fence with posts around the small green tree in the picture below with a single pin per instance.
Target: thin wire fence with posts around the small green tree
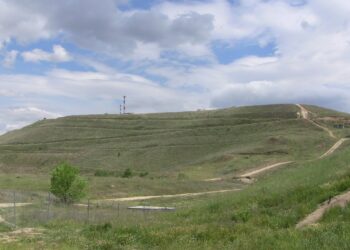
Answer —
(18, 209)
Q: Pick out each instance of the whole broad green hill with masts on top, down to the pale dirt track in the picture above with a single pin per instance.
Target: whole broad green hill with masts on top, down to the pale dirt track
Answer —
(177, 151)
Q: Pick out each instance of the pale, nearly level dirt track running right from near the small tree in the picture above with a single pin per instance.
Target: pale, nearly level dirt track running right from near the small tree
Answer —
(139, 198)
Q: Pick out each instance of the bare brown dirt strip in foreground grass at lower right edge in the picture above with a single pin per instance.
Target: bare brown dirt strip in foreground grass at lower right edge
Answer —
(339, 200)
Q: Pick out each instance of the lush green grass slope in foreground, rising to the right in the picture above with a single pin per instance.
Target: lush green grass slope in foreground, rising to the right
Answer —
(263, 216)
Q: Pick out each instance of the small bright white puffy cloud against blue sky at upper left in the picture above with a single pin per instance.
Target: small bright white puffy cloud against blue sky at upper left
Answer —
(59, 54)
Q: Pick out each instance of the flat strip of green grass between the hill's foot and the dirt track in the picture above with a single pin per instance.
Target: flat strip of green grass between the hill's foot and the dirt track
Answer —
(113, 187)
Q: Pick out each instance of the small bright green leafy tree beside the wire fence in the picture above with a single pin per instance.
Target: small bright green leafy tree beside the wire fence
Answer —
(66, 184)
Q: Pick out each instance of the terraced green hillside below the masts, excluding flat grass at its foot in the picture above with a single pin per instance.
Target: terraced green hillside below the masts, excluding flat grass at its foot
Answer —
(233, 138)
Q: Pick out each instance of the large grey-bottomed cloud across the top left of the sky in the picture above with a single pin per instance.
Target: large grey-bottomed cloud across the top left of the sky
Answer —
(106, 29)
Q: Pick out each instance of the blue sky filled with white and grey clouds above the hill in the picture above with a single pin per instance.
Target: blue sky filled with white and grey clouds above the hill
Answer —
(71, 57)
